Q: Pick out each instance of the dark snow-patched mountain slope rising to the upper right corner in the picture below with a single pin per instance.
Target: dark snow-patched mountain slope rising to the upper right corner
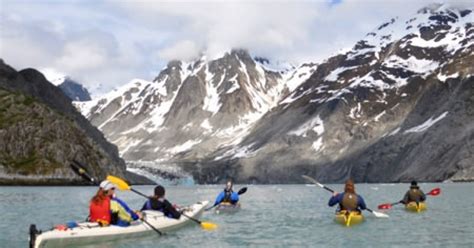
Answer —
(398, 106)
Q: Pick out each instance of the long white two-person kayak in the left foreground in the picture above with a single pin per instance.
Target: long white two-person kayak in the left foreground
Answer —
(91, 233)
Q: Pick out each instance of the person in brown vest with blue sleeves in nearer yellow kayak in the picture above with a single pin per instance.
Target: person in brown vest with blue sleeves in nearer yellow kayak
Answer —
(349, 200)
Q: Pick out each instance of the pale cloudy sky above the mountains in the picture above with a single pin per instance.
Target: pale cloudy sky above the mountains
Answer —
(111, 42)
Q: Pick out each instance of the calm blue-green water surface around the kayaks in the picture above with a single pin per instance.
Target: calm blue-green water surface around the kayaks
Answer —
(271, 216)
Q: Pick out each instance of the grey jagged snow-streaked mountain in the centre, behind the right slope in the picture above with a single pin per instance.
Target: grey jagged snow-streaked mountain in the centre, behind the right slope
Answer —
(192, 109)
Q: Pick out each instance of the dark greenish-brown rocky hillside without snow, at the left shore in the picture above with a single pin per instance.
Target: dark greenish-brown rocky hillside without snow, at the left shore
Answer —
(41, 132)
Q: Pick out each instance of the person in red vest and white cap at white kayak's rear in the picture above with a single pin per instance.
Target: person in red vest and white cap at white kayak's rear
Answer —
(107, 209)
